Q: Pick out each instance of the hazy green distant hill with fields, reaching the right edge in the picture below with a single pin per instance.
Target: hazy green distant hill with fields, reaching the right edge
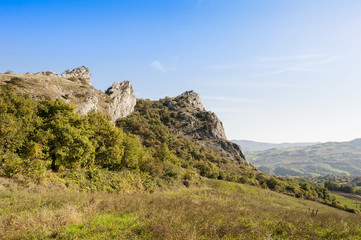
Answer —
(331, 158)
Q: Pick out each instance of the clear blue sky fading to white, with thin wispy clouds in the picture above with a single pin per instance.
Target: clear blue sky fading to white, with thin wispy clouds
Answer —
(272, 71)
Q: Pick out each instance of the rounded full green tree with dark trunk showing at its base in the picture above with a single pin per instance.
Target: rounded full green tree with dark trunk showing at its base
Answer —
(65, 134)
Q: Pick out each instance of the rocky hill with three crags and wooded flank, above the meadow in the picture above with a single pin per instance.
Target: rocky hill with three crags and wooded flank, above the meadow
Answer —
(60, 123)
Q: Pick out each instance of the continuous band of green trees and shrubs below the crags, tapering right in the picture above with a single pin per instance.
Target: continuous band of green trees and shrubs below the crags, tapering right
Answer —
(46, 141)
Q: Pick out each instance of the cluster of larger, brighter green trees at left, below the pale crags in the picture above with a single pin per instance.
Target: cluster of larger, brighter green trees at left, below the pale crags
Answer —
(49, 135)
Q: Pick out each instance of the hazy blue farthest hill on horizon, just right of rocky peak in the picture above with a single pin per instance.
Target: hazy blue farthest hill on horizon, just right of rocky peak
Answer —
(252, 146)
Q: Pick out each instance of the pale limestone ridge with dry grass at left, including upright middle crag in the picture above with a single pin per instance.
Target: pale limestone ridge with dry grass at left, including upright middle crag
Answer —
(74, 87)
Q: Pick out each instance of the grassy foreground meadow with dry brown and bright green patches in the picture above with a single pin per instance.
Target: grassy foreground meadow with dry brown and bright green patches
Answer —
(218, 210)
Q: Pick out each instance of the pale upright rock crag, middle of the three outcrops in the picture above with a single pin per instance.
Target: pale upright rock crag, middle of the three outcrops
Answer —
(123, 100)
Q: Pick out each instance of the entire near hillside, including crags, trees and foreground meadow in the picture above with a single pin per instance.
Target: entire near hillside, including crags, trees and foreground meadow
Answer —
(167, 161)
